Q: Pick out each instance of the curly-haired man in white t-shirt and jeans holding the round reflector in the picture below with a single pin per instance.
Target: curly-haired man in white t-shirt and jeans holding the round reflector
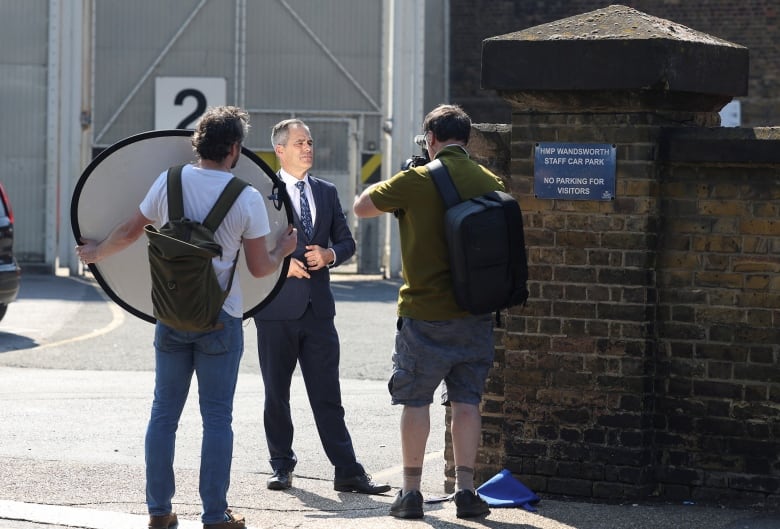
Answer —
(213, 356)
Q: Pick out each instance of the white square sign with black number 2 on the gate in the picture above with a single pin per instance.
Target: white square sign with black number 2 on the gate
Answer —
(180, 101)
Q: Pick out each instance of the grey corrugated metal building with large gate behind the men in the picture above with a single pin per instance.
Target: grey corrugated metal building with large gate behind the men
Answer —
(80, 75)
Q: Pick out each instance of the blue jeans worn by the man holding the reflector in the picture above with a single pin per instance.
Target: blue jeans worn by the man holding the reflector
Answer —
(214, 358)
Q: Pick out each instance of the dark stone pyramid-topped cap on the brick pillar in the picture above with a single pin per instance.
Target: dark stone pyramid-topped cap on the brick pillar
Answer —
(615, 49)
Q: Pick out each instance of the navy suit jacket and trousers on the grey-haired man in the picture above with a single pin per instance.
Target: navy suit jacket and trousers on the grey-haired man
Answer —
(297, 327)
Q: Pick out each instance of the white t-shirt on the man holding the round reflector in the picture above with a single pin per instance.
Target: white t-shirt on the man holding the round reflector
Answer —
(247, 219)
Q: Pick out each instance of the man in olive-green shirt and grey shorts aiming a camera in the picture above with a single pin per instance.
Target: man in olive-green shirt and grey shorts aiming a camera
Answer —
(436, 339)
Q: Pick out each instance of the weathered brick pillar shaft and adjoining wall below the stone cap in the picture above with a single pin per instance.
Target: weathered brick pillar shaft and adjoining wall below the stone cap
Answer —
(646, 362)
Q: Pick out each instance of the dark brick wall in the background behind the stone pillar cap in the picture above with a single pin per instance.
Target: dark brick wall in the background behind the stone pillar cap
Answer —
(751, 23)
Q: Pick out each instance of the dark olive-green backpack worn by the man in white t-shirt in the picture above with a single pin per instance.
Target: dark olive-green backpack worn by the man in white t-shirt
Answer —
(185, 292)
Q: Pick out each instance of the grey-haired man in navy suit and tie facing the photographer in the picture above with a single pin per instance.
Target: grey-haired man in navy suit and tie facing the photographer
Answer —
(297, 326)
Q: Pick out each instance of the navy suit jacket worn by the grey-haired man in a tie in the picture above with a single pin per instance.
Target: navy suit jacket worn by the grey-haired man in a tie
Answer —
(330, 230)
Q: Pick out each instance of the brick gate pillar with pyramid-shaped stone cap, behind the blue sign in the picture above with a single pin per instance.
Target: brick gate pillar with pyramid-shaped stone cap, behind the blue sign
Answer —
(576, 392)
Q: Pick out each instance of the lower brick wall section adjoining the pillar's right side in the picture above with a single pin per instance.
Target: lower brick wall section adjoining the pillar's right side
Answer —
(717, 402)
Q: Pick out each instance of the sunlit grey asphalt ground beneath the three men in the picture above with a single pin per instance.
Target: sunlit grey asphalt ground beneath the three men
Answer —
(75, 394)
